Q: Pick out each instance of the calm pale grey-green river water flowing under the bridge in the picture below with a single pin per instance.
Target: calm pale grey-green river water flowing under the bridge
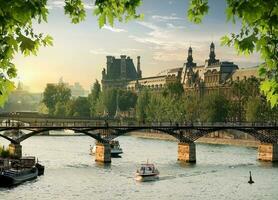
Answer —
(221, 172)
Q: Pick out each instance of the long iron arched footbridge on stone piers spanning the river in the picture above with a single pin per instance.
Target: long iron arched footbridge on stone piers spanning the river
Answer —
(104, 132)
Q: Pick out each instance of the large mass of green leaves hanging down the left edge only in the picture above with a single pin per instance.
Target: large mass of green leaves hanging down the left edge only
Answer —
(17, 35)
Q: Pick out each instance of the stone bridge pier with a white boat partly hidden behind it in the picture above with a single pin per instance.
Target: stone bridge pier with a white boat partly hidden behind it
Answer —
(103, 152)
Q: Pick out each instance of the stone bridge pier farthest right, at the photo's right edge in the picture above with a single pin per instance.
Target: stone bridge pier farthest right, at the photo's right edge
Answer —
(268, 152)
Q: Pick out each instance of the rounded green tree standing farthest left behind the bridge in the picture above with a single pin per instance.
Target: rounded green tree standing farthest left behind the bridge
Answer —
(54, 94)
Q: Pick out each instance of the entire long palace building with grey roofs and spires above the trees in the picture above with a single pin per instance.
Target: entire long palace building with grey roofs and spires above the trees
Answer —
(213, 75)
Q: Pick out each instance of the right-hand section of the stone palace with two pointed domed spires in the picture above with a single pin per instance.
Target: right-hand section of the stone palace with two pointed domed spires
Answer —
(214, 75)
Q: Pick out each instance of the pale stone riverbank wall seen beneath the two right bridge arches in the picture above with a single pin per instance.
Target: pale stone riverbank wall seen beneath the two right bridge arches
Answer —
(204, 140)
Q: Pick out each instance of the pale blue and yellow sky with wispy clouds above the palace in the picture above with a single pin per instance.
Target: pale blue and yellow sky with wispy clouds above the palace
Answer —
(162, 40)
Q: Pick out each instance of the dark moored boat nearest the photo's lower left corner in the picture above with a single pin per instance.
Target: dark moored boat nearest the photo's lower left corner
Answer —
(12, 177)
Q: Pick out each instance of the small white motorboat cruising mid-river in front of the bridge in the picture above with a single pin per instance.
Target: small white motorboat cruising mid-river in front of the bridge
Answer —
(147, 172)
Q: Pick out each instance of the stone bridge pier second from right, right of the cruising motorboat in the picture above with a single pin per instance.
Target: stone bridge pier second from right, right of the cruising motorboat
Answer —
(187, 152)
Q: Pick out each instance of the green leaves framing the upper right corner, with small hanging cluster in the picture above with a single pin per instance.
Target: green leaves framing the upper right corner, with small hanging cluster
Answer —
(259, 31)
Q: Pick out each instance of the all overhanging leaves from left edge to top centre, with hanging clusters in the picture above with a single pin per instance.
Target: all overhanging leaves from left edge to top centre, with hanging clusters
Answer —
(17, 33)
